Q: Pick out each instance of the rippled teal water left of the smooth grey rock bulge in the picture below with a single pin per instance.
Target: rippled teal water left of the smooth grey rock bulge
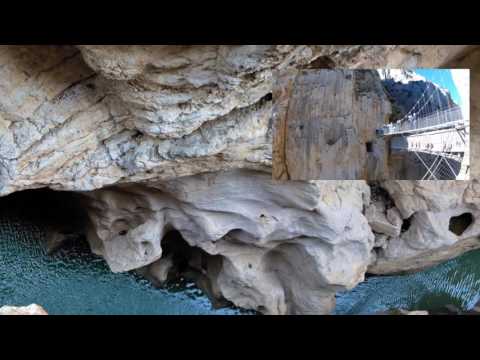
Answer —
(74, 281)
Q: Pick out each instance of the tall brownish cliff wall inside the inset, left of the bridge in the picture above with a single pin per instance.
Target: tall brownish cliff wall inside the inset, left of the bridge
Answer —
(325, 123)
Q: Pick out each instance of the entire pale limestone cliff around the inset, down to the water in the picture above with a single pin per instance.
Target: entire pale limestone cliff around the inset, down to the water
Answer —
(166, 138)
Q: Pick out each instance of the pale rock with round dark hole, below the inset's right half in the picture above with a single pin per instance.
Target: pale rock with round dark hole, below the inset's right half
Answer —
(440, 220)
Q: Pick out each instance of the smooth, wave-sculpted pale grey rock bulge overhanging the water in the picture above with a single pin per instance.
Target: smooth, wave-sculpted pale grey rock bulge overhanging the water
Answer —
(262, 230)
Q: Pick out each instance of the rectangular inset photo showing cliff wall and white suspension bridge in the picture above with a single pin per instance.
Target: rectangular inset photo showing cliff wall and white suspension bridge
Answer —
(371, 124)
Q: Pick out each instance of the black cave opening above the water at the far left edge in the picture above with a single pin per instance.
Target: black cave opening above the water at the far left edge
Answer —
(60, 215)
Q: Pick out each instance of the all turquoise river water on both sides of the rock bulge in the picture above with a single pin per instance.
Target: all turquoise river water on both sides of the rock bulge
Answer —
(74, 281)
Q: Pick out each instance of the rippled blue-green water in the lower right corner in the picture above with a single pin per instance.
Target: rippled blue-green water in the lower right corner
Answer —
(455, 282)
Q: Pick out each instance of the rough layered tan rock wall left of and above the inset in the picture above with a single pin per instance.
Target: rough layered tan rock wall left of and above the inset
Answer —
(150, 112)
